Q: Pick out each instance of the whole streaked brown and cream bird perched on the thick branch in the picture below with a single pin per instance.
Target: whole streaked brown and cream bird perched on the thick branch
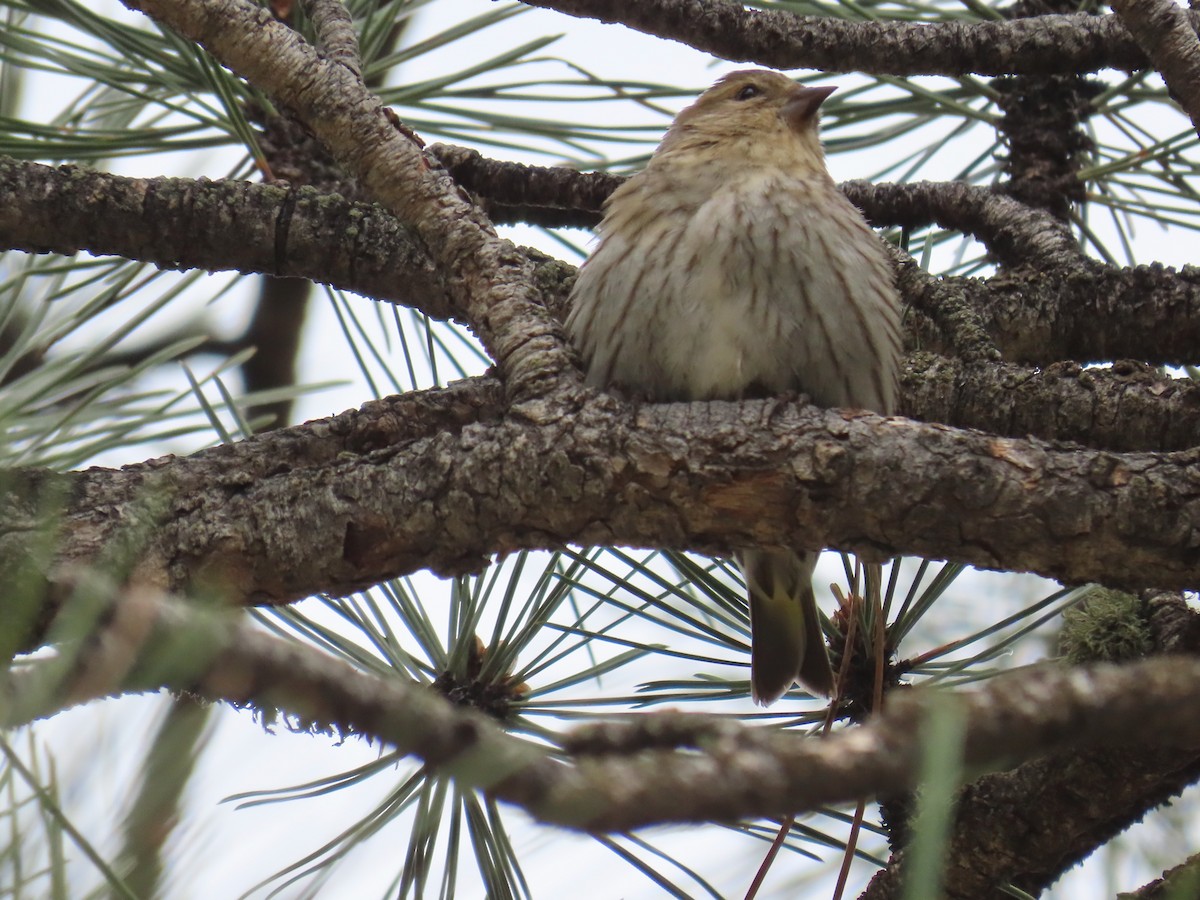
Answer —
(731, 268)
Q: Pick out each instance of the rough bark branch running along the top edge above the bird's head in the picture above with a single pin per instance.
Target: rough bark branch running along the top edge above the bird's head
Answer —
(1045, 45)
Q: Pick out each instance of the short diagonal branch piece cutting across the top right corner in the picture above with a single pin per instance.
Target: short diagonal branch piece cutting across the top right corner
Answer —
(1166, 33)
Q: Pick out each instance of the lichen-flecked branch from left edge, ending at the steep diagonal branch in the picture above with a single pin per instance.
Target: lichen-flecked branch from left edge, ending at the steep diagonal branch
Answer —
(220, 226)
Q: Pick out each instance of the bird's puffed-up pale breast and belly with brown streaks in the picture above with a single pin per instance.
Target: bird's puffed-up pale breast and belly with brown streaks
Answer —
(771, 284)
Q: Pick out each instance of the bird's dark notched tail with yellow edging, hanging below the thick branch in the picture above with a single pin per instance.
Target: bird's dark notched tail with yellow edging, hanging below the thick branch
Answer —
(787, 643)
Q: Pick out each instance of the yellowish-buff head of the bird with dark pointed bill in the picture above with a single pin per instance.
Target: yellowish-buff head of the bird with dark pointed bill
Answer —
(753, 116)
